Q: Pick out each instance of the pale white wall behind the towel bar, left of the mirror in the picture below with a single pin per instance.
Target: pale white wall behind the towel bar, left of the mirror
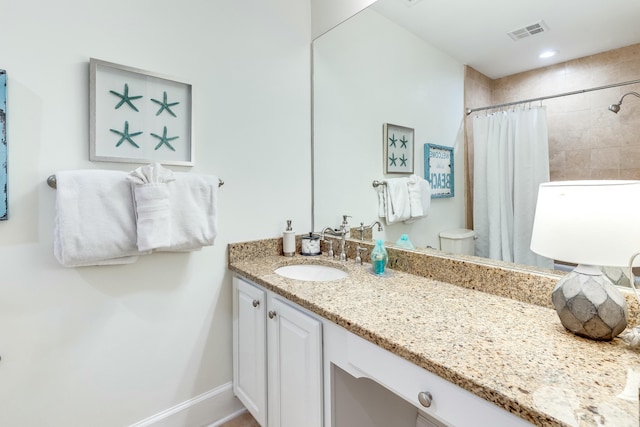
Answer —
(110, 346)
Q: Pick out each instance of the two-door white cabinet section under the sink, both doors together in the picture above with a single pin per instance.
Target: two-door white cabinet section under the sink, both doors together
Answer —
(277, 358)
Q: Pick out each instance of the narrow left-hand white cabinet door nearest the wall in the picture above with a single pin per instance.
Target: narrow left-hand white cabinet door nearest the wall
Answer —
(249, 348)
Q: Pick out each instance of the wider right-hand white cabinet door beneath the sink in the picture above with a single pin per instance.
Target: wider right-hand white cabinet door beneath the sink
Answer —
(294, 367)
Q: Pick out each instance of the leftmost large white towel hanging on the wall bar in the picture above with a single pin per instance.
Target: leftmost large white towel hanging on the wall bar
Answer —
(95, 220)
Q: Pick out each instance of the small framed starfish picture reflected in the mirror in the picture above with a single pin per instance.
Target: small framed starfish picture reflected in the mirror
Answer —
(397, 149)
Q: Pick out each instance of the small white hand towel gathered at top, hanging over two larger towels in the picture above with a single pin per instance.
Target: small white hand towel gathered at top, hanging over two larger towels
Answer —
(151, 202)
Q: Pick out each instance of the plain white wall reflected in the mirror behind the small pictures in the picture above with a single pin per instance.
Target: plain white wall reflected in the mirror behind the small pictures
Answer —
(369, 71)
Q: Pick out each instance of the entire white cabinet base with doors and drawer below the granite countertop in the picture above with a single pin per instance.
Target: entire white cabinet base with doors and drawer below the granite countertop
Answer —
(279, 351)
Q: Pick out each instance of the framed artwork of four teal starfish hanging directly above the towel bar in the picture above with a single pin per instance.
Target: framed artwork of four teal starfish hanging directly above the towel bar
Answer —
(138, 116)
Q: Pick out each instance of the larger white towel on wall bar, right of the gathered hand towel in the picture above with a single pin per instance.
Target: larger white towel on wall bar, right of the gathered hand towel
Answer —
(193, 202)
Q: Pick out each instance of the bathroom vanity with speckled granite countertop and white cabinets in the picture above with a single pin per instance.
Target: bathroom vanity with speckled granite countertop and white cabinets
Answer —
(418, 351)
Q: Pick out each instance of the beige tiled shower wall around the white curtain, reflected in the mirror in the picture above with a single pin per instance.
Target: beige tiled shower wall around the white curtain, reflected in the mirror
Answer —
(586, 140)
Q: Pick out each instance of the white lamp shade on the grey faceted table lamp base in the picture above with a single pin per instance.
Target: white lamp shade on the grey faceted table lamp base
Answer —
(588, 222)
